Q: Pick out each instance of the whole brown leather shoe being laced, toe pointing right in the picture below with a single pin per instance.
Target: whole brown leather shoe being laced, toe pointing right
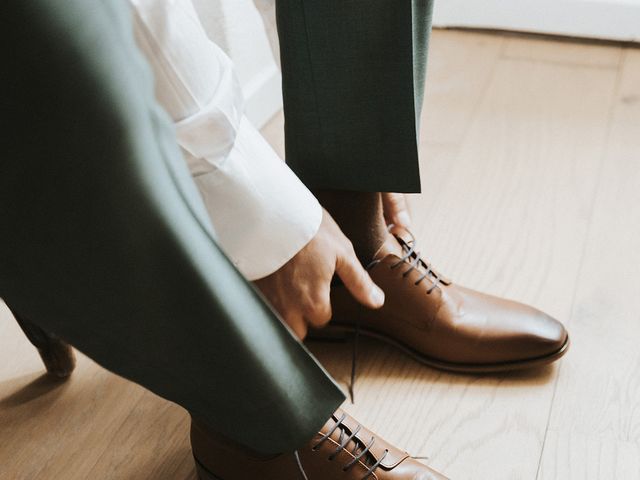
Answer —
(444, 325)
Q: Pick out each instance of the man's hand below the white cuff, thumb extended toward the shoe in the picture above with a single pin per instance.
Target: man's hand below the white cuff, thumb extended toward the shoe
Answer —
(300, 289)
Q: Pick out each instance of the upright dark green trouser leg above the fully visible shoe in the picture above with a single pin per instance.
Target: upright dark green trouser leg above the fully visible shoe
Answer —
(353, 76)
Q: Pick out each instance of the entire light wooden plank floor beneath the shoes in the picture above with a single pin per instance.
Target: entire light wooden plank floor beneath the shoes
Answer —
(531, 180)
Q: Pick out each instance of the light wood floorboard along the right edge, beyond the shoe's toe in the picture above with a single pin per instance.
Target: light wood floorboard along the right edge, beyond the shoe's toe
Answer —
(594, 429)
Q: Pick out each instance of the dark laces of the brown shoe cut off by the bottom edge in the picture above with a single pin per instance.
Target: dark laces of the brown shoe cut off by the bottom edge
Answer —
(359, 451)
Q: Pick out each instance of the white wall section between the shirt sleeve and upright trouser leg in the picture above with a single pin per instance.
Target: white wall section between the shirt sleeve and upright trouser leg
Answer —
(237, 27)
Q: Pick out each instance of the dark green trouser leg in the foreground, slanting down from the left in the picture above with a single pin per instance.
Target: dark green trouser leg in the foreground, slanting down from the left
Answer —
(105, 241)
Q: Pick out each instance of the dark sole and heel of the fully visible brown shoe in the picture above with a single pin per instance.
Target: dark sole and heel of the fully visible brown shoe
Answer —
(343, 333)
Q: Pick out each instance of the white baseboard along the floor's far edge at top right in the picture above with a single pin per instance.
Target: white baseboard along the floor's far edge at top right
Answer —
(601, 19)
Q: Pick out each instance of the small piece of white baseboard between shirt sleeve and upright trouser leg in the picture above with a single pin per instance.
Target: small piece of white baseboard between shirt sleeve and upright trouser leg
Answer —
(263, 96)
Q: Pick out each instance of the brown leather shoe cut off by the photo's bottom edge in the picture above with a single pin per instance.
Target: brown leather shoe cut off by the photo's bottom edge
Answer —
(341, 450)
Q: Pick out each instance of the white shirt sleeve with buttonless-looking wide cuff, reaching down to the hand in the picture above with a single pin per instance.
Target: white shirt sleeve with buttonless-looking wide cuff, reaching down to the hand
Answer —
(261, 212)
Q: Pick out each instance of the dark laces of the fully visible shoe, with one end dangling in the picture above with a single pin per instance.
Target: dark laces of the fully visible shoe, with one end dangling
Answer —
(416, 261)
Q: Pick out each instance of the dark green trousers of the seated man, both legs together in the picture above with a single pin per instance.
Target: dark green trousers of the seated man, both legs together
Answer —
(104, 238)
